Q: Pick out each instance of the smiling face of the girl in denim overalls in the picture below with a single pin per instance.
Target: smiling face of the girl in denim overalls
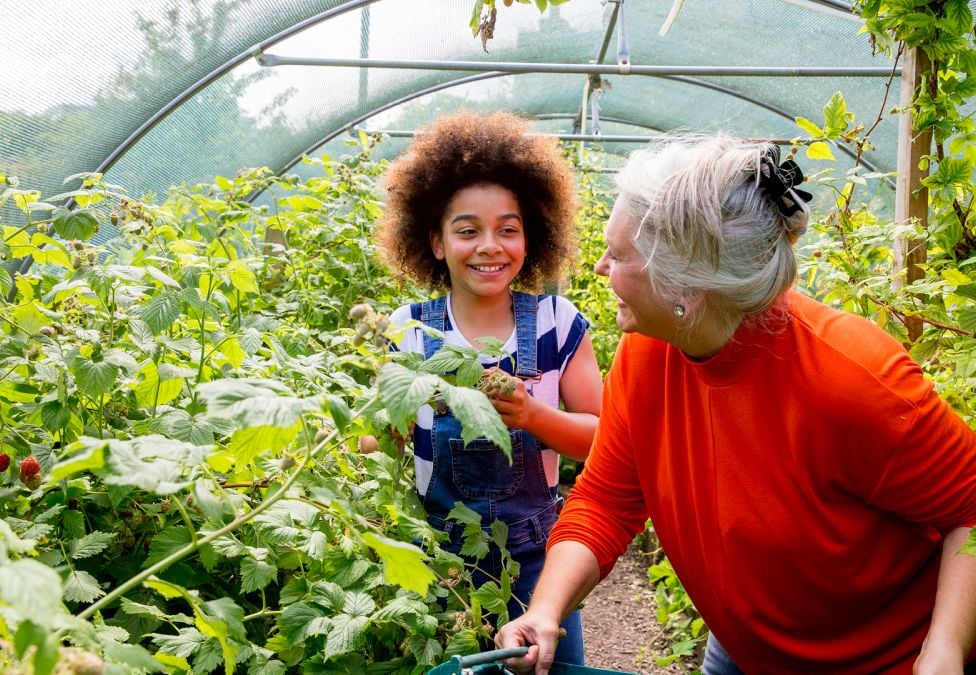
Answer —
(482, 240)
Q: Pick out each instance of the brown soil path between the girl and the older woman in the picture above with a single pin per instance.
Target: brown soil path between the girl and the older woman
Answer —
(620, 631)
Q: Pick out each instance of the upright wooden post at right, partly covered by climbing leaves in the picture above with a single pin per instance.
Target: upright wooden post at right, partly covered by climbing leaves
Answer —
(911, 197)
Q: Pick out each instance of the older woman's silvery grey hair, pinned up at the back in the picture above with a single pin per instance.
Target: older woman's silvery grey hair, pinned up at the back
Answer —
(706, 232)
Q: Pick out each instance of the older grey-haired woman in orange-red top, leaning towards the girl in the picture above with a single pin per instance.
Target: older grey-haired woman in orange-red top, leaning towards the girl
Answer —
(810, 488)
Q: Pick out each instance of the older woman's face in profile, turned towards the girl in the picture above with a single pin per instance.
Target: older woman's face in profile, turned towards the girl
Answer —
(638, 310)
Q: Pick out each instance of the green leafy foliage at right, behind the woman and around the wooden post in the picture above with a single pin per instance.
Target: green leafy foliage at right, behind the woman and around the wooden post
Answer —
(852, 258)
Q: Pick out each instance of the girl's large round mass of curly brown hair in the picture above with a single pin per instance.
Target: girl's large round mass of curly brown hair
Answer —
(466, 149)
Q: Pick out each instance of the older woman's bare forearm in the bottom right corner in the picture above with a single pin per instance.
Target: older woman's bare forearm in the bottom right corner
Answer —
(953, 628)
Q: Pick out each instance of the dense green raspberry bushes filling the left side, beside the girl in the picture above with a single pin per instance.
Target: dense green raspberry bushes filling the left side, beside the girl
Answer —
(193, 393)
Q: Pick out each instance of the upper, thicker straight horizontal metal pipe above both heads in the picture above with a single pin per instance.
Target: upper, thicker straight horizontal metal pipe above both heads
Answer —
(273, 60)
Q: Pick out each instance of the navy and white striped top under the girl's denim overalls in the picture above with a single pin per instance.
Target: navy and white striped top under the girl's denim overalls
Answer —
(559, 330)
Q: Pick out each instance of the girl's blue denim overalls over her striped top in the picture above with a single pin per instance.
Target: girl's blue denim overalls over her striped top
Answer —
(480, 476)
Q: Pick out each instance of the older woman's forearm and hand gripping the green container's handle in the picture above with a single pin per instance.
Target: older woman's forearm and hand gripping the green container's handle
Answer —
(570, 573)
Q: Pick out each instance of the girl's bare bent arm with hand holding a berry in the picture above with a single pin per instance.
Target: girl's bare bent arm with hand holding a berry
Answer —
(569, 432)
